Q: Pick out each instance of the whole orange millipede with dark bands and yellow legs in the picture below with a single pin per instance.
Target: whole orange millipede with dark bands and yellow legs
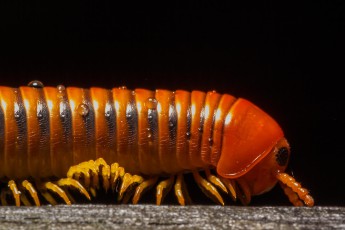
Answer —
(55, 140)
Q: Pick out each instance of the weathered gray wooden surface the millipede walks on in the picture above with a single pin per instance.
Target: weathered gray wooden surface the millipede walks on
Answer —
(171, 217)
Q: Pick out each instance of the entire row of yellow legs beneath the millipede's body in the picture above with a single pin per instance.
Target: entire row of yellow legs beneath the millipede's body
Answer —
(88, 177)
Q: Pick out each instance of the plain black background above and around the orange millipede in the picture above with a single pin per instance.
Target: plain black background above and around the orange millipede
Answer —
(286, 58)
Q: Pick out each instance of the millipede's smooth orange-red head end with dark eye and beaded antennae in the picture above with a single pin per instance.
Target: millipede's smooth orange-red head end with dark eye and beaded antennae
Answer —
(255, 153)
